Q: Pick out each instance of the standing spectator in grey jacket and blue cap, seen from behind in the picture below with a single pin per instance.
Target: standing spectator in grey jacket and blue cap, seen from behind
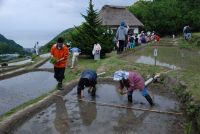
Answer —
(122, 31)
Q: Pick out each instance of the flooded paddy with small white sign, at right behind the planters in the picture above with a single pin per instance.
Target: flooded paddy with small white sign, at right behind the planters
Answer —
(168, 57)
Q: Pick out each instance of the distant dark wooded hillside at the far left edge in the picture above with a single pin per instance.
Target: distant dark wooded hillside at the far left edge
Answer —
(9, 46)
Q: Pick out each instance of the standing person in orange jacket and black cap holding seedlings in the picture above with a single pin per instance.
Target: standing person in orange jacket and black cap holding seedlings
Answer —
(60, 52)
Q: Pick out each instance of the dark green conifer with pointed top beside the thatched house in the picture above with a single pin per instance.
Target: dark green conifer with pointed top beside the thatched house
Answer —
(91, 31)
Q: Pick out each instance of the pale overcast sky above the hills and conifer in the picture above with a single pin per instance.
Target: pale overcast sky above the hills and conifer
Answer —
(28, 21)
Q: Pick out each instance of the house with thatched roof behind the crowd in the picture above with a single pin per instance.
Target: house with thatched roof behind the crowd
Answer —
(113, 16)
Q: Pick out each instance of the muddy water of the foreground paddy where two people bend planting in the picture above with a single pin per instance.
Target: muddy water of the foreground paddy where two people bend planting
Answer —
(72, 116)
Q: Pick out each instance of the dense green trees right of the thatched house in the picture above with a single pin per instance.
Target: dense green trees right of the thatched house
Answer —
(167, 17)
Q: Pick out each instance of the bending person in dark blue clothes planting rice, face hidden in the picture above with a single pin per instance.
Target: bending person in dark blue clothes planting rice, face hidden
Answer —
(88, 79)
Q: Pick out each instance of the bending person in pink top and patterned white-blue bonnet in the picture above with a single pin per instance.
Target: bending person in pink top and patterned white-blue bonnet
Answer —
(132, 81)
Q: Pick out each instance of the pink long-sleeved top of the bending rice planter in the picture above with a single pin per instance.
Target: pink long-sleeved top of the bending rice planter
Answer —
(135, 81)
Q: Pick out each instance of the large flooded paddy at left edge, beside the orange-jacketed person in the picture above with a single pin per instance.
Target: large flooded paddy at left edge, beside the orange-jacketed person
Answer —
(23, 88)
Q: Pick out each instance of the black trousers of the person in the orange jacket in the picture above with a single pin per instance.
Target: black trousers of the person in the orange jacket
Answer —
(59, 73)
